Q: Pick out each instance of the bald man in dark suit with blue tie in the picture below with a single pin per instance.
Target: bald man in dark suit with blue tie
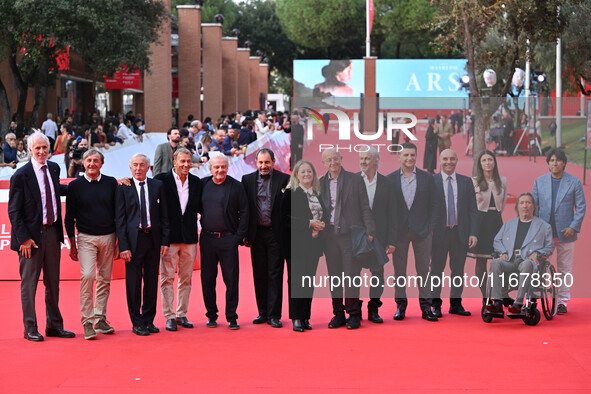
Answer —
(455, 231)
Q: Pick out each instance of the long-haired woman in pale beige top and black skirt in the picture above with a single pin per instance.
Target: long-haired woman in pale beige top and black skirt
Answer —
(491, 196)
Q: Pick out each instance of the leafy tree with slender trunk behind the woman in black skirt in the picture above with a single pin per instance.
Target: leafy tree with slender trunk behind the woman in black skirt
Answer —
(494, 34)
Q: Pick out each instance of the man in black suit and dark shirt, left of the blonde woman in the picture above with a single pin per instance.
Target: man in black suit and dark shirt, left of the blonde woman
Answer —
(263, 190)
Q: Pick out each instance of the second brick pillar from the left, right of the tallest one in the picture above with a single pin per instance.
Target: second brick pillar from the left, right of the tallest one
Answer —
(189, 61)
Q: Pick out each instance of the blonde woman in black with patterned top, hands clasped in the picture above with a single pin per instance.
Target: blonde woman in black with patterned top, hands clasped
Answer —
(303, 218)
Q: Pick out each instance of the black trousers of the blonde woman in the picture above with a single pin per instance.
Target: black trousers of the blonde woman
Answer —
(300, 294)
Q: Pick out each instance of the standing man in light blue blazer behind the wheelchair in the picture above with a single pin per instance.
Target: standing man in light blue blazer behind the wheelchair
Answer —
(561, 202)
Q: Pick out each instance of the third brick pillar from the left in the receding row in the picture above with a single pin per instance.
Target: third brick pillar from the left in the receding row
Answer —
(212, 70)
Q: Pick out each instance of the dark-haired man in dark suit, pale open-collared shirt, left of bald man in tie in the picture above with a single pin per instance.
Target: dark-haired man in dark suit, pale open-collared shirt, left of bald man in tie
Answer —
(416, 212)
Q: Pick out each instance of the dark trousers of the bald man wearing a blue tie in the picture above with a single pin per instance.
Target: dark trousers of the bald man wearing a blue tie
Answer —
(447, 242)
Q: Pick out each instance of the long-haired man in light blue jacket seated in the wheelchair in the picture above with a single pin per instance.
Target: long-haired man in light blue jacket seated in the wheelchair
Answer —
(520, 245)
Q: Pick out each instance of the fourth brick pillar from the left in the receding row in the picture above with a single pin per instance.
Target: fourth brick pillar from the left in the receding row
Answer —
(229, 74)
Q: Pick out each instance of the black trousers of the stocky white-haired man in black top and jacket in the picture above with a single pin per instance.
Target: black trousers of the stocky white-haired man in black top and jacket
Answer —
(225, 252)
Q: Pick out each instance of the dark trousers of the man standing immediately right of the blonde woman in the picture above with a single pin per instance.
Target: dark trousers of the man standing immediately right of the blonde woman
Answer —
(339, 262)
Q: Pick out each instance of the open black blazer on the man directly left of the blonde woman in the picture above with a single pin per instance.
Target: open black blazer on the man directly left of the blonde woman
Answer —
(279, 181)
